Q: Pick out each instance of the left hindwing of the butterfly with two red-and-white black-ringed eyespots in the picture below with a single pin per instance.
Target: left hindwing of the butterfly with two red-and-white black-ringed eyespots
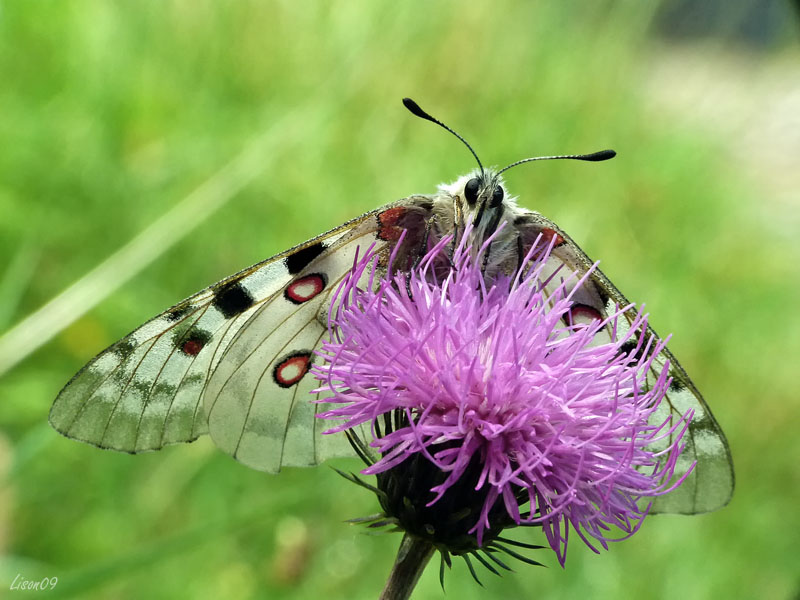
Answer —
(258, 400)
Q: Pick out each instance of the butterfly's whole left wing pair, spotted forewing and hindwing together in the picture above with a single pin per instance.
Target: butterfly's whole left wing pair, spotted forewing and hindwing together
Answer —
(145, 391)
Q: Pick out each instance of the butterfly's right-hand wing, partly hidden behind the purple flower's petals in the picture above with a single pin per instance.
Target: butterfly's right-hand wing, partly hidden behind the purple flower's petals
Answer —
(710, 485)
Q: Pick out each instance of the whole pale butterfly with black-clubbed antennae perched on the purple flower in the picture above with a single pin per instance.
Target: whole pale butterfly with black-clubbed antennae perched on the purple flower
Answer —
(233, 360)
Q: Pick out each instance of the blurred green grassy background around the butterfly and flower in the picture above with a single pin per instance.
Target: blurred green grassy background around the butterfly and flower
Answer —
(111, 114)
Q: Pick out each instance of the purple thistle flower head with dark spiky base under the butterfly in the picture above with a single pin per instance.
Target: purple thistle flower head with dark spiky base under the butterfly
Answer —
(490, 407)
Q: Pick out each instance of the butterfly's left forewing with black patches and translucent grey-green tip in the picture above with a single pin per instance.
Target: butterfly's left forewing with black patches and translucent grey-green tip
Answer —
(144, 391)
